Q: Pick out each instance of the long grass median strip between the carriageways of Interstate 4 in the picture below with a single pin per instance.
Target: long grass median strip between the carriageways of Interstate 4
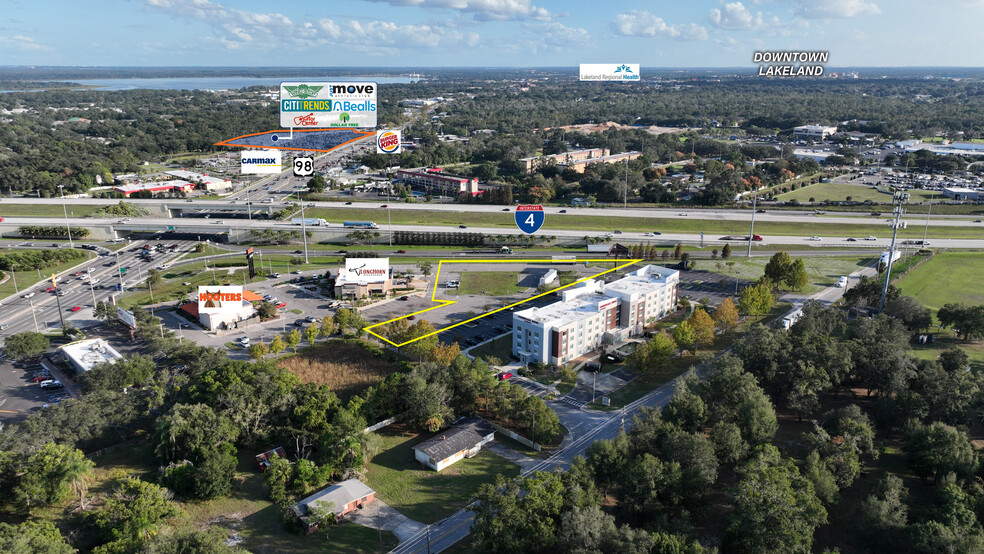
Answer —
(593, 224)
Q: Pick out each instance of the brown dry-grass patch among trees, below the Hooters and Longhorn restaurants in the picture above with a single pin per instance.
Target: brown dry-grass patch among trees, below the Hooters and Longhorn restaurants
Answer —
(346, 366)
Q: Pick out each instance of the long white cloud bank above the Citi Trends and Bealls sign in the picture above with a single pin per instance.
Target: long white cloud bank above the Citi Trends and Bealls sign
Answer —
(236, 29)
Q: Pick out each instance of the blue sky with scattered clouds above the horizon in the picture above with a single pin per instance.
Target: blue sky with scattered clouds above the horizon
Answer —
(487, 33)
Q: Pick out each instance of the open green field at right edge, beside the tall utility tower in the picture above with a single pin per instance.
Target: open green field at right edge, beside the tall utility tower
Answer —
(948, 277)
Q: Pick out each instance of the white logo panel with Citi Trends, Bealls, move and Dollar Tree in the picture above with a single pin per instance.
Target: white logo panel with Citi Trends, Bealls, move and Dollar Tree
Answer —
(328, 104)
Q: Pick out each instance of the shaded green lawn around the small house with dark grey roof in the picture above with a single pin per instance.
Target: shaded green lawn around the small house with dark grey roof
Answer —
(424, 494)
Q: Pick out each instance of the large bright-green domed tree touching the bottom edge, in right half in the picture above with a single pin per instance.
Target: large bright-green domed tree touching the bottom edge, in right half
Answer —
(776, 508)
